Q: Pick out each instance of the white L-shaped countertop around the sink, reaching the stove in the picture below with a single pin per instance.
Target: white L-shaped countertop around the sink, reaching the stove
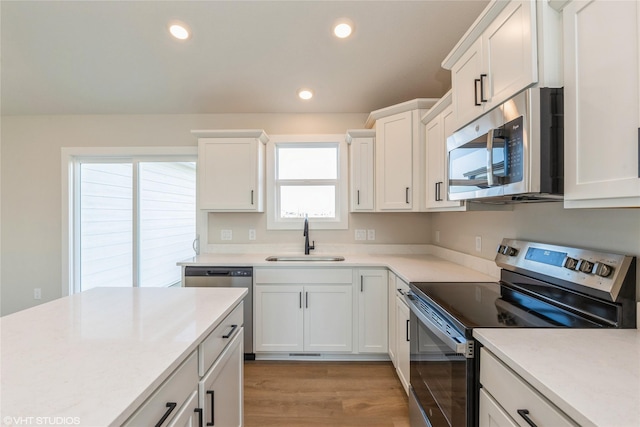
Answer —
(409, 267)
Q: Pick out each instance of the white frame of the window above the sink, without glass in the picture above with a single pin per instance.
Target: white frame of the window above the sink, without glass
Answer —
(274, 221)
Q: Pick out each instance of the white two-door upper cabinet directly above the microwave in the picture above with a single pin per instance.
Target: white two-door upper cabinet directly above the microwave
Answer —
(512, 45)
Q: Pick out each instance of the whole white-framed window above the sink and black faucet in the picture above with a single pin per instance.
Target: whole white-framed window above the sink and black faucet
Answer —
(306, 178)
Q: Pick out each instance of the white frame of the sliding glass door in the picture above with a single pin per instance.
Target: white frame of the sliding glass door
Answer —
(70, 177)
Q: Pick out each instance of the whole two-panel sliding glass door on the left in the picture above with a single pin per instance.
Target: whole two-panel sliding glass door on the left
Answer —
(131, 219)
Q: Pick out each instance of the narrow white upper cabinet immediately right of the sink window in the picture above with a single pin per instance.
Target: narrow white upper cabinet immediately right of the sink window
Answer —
(361, 166)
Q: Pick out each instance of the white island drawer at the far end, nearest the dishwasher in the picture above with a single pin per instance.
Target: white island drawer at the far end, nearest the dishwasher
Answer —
(212, 346)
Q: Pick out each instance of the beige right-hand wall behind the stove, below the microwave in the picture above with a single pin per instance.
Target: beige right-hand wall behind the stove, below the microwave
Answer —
(616, 230)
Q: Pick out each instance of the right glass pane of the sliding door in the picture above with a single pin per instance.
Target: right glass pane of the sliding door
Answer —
(167, 220)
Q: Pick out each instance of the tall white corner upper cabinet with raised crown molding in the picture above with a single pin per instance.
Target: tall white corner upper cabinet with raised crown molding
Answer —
(399, 156)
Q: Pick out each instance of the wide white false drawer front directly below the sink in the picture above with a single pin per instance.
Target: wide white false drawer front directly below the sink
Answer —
(303, 276)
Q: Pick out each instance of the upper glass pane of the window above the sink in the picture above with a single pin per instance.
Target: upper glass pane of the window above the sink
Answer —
(307, 162)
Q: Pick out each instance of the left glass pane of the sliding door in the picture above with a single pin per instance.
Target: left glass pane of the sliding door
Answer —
(106, 246)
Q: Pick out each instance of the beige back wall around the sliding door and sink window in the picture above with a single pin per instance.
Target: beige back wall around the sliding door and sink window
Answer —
(30, 196)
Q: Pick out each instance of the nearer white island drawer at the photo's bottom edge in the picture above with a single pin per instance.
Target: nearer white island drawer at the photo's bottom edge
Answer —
(175, 391)
